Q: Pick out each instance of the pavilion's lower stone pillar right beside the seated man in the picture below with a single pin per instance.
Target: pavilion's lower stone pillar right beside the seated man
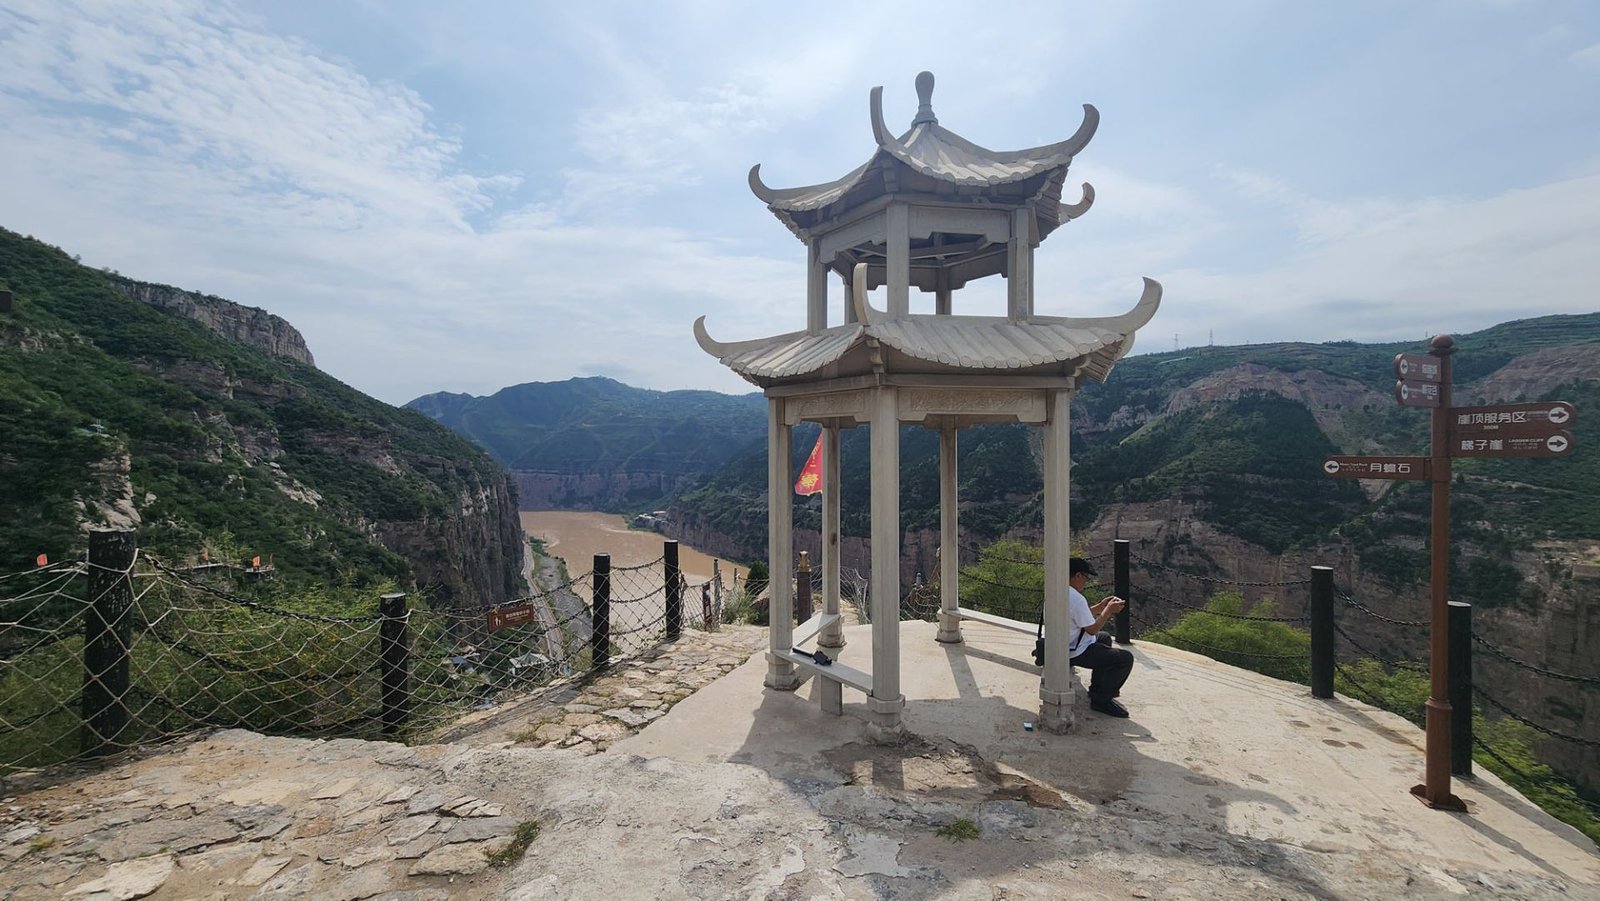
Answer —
(1057, 694)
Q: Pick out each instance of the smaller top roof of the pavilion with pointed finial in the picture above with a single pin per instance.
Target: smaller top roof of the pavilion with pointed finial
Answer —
(945, 158)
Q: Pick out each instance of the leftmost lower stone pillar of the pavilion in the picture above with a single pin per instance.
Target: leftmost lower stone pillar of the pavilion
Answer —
(780, 548)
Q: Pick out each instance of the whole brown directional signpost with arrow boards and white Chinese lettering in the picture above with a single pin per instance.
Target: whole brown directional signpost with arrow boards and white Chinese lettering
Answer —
(1508, 430)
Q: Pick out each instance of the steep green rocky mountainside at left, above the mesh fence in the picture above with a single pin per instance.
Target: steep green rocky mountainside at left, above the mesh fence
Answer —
(204, 426)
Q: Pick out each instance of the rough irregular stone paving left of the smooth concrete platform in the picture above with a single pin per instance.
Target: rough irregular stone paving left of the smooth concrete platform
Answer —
(332, 820)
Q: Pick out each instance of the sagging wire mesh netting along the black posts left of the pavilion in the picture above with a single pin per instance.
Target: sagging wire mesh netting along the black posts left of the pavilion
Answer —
(102, 659)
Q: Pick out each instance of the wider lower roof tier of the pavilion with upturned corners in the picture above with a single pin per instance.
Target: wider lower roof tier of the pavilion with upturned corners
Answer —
(938, 345)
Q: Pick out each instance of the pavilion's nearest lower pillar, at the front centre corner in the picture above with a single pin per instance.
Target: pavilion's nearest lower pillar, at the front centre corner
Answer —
(886, 703)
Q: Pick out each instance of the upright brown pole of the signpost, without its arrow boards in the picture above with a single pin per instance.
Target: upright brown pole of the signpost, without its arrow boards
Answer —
(1436, 782)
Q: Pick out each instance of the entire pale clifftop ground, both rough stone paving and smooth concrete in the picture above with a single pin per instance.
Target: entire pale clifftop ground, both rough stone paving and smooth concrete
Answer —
(1222, 785)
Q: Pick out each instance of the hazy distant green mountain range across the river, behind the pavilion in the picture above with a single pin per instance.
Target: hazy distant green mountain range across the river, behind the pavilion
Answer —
(1238, 433)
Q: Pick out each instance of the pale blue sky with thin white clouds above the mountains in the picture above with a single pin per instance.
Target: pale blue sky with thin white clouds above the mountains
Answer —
(478, 194)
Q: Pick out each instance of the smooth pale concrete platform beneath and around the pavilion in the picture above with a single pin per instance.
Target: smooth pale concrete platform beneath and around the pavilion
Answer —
(1222, 783)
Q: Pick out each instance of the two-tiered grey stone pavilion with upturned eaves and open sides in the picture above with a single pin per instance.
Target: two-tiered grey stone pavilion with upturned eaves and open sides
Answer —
(934, 212)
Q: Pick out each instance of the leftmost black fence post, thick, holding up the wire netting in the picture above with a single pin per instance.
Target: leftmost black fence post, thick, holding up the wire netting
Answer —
(106, 639)
